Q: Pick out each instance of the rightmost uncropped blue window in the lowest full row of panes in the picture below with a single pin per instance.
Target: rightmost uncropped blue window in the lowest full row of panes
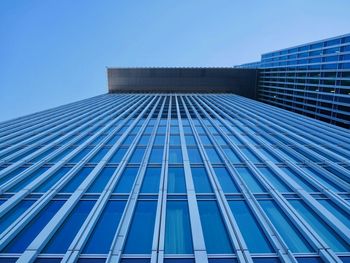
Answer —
(291, 236)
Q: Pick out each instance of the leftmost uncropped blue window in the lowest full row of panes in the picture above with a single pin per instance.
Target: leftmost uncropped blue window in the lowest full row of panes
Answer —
(27, 235)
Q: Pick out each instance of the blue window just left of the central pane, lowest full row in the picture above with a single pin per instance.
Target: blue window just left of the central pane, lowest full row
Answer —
(142, 222)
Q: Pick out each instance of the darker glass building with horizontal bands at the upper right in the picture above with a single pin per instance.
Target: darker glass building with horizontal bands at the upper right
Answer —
(312, 79)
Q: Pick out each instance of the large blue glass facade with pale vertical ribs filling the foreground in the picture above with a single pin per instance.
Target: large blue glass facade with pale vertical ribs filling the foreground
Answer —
(137, 178)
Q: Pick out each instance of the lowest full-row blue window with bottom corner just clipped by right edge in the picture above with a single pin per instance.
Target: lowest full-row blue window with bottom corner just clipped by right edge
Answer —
(327, 234)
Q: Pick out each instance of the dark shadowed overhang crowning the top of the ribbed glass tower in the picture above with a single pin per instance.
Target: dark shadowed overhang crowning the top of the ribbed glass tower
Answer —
(186, 80)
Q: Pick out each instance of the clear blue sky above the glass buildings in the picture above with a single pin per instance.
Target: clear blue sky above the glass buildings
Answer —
(54, 52)
